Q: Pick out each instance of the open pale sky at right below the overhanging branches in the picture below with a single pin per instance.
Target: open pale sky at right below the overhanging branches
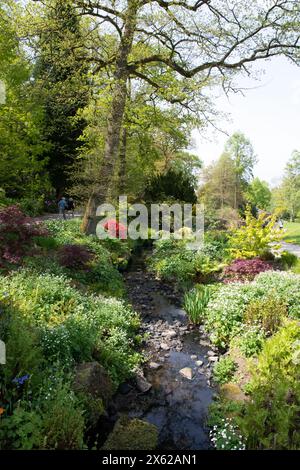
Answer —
(268, 113)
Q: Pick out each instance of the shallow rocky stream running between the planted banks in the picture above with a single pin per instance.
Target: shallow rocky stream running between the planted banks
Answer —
(178, 367)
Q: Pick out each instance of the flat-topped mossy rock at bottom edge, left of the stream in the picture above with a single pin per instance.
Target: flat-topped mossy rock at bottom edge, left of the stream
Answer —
(132, 434)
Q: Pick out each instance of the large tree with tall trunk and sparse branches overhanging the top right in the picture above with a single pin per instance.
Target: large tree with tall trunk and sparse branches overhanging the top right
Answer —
(206, 39)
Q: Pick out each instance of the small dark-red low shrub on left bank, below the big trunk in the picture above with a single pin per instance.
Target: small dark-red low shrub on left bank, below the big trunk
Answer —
(75, 256)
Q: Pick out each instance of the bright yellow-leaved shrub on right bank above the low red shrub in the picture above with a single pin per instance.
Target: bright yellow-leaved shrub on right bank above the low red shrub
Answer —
(256, 237)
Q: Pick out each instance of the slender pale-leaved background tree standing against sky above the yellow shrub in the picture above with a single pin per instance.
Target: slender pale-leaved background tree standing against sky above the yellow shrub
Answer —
(240, 149)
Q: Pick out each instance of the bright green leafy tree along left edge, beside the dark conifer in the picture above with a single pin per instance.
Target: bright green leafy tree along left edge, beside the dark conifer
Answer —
(22, 164)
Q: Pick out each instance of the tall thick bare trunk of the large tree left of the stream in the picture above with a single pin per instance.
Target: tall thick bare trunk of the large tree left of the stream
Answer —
(115, 119)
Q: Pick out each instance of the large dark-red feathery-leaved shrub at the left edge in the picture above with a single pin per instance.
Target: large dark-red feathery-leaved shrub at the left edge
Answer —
(16, 234)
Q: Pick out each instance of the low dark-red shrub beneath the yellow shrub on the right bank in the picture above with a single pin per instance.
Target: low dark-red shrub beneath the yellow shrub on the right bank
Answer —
(245, 270)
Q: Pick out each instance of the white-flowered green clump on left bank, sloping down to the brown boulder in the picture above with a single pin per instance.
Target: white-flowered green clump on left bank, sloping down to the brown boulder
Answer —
(74, 326)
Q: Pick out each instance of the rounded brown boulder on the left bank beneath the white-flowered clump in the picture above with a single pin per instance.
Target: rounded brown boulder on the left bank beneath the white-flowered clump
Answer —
(91, 378)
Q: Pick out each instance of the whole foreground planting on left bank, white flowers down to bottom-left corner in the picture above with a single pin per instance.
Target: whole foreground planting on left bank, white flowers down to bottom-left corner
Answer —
(49, 327)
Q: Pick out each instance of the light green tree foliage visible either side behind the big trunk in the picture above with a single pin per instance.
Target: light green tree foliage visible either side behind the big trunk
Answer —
(157, 138)
